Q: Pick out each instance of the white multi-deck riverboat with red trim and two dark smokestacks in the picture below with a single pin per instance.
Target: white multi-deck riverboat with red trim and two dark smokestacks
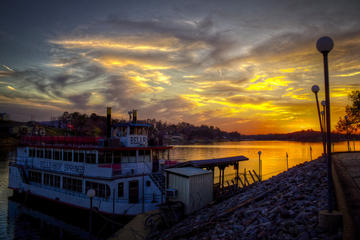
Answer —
(123, 169)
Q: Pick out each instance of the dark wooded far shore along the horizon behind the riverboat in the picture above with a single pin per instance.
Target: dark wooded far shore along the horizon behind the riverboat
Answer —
(78, 124)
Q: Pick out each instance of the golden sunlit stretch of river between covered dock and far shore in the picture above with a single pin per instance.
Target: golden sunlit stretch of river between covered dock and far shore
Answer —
(273, 154)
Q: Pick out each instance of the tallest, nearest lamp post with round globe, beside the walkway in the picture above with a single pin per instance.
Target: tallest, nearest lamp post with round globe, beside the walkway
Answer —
(324, 45)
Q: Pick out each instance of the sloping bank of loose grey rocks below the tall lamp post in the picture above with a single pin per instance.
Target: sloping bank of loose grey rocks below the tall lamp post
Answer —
(285, 206)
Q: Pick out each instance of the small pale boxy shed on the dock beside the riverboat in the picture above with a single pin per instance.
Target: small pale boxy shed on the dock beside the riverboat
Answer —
(194, 186)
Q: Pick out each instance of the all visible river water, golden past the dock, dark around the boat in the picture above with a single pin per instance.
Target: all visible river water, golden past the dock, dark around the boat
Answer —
(18, 221)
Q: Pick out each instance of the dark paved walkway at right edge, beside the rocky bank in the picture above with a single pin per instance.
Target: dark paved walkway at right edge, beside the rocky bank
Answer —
(346, 176)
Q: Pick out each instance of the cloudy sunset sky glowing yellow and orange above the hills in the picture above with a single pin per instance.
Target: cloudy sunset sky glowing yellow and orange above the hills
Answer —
(244, 66)
